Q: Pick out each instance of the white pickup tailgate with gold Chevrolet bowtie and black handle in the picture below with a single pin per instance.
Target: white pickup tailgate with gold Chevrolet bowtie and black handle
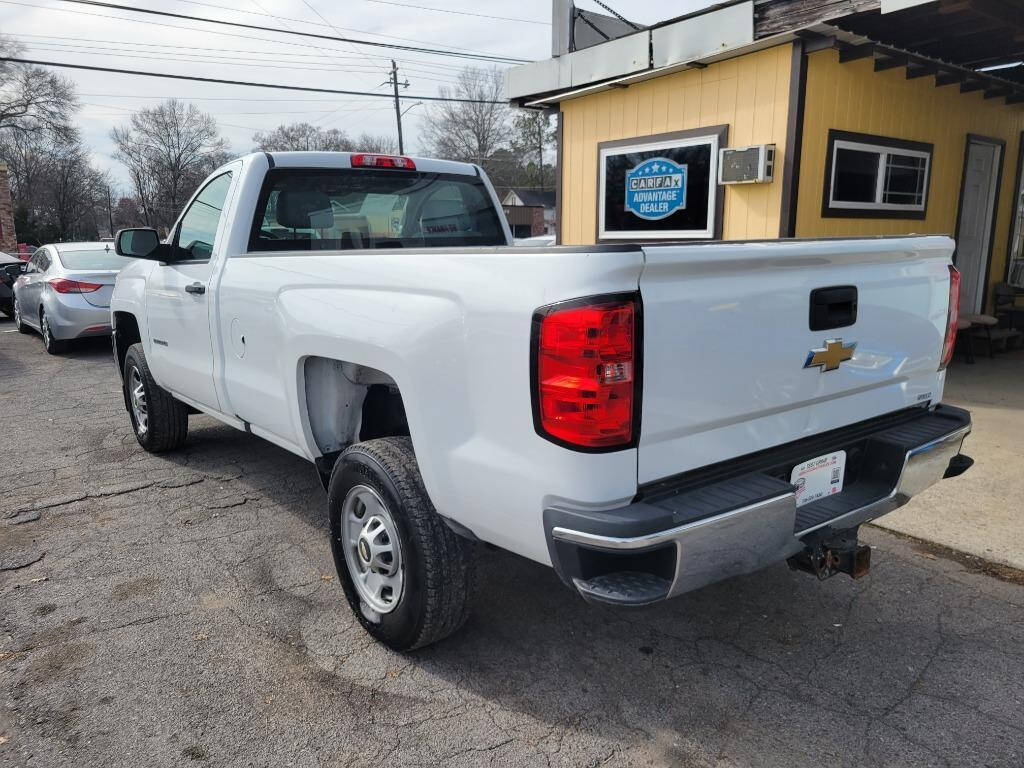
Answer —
(728, 336)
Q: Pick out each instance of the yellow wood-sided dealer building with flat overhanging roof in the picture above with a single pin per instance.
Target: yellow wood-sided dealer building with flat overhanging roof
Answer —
(884, 121)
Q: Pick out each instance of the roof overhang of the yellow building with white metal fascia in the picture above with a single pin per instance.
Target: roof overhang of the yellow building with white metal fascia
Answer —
(947, 39)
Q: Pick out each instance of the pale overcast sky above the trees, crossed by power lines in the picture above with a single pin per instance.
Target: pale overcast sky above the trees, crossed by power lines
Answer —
(52, 30)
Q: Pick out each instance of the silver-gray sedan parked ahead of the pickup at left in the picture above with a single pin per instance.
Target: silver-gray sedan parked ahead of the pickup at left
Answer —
(66, 292)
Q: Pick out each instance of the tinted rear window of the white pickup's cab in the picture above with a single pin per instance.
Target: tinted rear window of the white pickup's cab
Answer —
(308, 209)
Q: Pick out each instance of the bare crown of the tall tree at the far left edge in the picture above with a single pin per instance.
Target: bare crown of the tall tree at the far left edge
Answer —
(32, 100)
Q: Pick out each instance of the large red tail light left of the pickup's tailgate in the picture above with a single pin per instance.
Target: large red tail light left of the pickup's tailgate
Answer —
(586, 372)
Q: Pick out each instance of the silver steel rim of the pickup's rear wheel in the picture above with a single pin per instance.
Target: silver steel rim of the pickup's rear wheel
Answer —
(373, 549)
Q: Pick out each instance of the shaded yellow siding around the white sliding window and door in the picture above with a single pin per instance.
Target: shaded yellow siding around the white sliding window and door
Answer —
(855, 98)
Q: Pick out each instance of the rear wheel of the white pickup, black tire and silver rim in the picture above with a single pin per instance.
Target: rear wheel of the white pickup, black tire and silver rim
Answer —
(408, 576)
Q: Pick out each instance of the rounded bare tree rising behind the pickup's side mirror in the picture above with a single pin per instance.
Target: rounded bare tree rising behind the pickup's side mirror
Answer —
(167, 151)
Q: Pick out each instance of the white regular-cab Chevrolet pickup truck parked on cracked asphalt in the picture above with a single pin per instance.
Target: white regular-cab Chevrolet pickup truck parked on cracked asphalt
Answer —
(647, 419)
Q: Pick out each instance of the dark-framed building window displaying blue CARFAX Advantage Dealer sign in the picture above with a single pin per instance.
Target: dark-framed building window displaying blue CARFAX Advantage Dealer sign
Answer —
(661, 188)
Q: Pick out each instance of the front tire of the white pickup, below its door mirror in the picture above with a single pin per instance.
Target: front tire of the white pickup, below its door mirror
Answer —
(166, 419)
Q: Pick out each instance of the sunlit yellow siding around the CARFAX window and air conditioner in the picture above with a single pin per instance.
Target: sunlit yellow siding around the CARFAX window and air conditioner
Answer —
(749, 94)
